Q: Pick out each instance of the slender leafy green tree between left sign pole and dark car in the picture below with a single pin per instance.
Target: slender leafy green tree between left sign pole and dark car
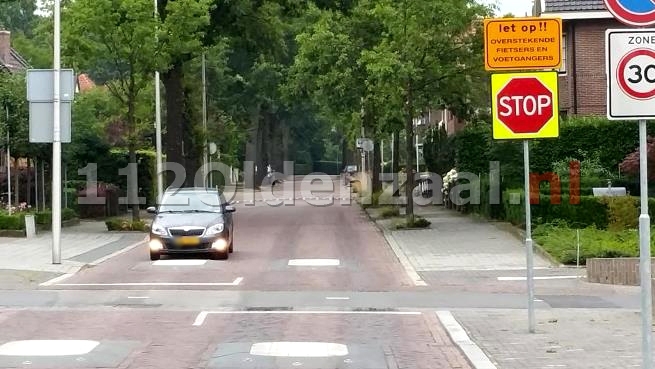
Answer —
(120, 32)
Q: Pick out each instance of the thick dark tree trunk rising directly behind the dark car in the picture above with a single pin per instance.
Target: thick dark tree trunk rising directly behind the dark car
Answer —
(174, 121)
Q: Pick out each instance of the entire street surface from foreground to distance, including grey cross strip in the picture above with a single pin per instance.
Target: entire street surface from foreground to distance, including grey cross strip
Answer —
(307, 287)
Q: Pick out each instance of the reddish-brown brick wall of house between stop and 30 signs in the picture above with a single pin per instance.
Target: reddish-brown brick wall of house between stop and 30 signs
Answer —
(587, 38)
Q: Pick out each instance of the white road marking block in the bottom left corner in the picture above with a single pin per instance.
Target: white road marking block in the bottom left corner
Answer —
(47, 348)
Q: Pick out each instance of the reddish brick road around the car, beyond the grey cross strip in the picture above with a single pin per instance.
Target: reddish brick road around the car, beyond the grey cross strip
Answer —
(266, 238)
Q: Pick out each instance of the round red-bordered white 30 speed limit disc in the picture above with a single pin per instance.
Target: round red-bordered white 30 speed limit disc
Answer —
(636, 74)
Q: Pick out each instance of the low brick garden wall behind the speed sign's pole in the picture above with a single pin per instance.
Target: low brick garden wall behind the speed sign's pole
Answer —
(621, 271)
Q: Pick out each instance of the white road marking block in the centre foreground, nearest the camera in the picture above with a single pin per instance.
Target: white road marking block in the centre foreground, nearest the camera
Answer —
(298, 349)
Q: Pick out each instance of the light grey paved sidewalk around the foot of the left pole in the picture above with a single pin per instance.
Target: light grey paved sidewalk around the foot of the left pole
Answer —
(80, 245)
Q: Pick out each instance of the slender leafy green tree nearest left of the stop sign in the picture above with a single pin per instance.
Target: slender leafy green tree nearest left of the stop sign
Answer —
(428, 49)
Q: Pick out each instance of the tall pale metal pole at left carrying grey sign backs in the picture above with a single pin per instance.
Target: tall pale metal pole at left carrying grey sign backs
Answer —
(56, 144)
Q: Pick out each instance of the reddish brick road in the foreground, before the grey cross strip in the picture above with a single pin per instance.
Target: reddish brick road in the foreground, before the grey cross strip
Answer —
(159, 339)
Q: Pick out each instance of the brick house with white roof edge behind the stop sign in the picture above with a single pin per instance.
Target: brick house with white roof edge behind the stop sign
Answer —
(582, 75)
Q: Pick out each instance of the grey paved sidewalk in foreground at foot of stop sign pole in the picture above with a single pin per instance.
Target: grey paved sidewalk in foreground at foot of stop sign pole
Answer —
(567, 338)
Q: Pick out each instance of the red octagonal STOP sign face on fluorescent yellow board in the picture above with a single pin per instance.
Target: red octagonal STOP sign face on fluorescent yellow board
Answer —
(525, 105)
